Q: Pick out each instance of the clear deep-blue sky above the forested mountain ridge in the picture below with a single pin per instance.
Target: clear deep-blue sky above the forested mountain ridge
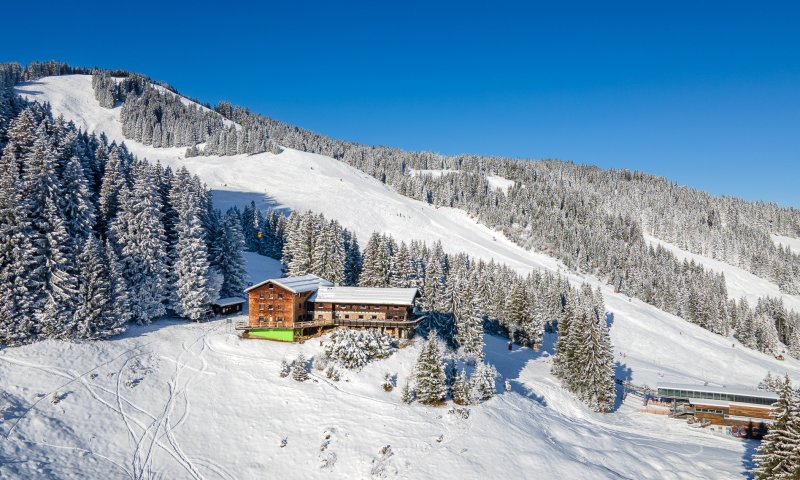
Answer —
(705, 93)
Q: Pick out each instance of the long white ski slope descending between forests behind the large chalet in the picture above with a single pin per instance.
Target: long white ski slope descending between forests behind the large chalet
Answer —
(299, 180)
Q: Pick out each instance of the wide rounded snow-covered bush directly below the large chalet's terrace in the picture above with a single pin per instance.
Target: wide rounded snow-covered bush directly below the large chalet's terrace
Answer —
(355, 348)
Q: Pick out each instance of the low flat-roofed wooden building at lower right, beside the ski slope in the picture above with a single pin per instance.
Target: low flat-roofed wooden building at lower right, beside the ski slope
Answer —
(743, 413)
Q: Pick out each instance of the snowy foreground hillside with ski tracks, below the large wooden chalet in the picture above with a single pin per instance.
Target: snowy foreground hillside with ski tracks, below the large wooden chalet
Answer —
(186, 400)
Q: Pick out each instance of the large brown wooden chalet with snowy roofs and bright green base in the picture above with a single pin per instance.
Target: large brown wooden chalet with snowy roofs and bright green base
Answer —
(295, 308)
